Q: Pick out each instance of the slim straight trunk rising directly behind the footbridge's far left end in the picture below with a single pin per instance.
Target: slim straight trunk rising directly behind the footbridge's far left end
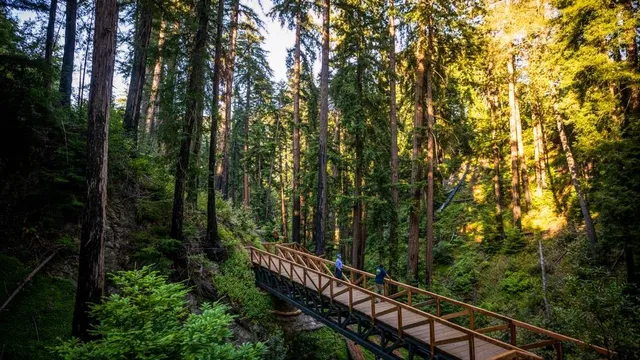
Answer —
(295, 224)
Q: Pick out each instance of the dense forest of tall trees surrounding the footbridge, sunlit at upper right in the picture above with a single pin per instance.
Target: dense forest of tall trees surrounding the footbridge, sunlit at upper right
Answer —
(486, 150)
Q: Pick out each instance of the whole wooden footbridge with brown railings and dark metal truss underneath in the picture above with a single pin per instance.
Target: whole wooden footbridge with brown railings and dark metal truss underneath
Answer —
(404, 323)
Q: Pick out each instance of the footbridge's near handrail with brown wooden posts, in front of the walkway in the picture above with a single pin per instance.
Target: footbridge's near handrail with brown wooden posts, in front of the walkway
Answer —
(398, 306)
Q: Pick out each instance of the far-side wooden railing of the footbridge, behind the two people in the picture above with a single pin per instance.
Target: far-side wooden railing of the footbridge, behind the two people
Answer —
(418, 298)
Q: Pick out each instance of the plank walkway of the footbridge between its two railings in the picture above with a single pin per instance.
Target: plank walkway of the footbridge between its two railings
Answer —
(447, 337)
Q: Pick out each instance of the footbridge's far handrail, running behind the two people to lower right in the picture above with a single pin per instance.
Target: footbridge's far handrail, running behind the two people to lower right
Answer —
(511, 323)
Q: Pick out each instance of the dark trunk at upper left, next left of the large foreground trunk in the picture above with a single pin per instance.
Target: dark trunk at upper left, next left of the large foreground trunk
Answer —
(66, 74)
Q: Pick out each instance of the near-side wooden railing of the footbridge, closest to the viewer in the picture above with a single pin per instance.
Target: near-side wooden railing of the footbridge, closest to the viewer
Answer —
(320, 281)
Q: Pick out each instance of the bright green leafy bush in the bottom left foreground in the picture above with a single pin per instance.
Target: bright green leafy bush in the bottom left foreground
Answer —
(149, 319)
